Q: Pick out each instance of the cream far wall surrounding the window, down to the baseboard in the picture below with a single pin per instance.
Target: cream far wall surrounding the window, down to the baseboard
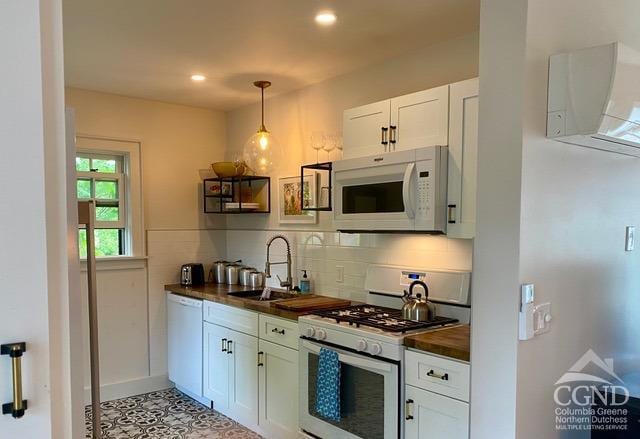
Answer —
(176, 141)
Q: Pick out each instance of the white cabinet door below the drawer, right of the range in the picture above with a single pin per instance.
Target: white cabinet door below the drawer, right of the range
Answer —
(432, 416)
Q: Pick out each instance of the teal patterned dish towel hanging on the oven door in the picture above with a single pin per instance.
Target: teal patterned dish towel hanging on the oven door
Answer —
(328, 385)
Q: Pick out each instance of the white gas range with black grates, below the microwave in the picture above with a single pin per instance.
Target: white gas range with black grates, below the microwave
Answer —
(369, 342)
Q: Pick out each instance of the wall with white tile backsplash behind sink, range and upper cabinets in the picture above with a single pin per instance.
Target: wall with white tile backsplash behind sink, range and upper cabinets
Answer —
(292, 118)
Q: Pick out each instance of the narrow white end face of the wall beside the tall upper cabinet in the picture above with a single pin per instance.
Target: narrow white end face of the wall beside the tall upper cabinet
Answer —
(495, 272)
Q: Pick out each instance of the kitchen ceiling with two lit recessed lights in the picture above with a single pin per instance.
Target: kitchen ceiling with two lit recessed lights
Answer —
(150, 48)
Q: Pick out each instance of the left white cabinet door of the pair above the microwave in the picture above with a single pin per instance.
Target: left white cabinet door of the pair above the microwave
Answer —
(366, 130)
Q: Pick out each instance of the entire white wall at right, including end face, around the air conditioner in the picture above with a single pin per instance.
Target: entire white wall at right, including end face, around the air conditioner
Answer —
(563, 230)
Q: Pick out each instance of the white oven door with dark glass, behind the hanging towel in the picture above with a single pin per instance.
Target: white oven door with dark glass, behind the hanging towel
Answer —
(369, 396)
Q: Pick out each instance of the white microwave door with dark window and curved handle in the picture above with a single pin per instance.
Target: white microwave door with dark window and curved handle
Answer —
(376, 195)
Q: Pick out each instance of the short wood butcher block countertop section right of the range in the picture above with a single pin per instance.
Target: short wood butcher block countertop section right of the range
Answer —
(450, 342)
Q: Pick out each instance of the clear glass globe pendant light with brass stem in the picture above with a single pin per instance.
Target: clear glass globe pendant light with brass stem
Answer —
(262, 151)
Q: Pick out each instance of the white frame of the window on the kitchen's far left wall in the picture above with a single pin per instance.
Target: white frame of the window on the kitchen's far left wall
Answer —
(131, 174)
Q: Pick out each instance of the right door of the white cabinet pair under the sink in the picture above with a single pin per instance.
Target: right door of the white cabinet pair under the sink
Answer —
(243, 378)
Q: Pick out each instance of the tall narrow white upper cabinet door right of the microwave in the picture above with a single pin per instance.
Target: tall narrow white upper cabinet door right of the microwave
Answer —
(463, 159)
